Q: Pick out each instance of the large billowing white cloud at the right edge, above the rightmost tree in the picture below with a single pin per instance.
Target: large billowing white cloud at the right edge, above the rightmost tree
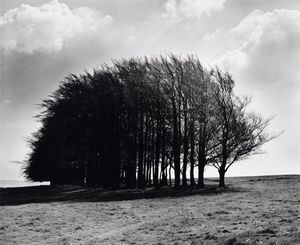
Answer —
(264, 42)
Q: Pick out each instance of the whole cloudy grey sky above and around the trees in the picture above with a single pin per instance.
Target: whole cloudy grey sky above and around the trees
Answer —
(257, 41)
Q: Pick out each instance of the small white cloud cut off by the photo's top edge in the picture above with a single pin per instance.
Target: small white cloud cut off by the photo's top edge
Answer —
(191, 9)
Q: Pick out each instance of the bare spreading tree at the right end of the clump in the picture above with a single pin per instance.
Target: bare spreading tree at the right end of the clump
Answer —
(238, 133)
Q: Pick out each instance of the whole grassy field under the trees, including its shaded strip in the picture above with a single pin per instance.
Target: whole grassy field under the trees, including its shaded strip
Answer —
(252, 210)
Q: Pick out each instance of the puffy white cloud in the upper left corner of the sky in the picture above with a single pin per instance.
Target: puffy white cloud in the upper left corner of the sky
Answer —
(46, 28)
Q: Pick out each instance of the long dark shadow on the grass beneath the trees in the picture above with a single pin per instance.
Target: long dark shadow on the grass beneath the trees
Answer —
(46, 194)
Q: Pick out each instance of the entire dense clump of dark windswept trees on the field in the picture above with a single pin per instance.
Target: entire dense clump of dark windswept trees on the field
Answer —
(142, 122)
